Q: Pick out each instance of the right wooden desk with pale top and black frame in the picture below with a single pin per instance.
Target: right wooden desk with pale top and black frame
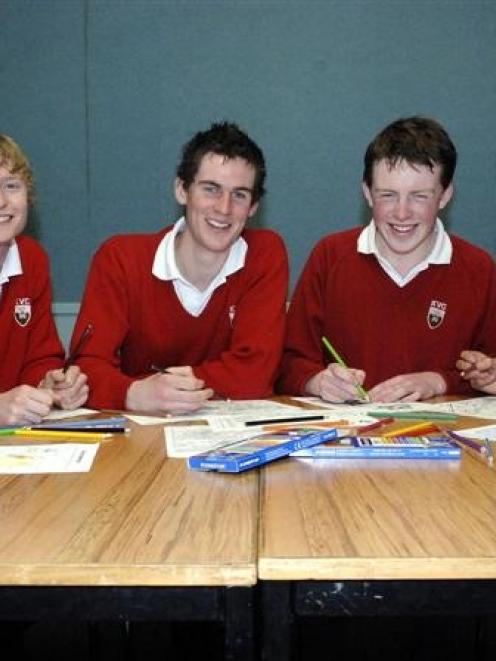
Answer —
(364, 537)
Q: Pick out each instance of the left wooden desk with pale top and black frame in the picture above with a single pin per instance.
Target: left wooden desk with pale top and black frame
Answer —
(140, 535)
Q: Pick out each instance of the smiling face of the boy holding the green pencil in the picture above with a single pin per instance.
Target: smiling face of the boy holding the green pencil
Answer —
(405, 200)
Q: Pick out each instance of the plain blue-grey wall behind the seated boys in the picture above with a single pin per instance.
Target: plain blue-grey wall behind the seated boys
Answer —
(103, 93)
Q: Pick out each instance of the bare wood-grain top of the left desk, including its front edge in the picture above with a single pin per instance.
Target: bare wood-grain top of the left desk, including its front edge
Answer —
(137, 518)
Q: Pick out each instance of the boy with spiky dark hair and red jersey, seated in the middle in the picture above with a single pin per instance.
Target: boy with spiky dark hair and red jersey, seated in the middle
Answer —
(201, 303)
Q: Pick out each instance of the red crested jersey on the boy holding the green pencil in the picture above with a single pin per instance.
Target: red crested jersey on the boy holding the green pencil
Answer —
(385, 329)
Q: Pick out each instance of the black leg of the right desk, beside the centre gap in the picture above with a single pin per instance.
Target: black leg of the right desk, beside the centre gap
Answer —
(276, 620)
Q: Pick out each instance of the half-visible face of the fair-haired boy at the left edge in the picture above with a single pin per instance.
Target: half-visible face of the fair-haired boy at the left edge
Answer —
(13, 208)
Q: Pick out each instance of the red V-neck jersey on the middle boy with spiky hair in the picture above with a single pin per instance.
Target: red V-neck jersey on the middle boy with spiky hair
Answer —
(234, 345)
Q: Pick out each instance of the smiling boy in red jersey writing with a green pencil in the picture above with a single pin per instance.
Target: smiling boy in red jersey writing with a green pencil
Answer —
(399, 299)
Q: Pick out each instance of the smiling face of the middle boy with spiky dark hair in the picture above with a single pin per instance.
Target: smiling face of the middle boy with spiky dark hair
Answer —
(218, 202)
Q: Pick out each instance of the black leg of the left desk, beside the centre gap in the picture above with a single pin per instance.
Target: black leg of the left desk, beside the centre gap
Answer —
(239, 622)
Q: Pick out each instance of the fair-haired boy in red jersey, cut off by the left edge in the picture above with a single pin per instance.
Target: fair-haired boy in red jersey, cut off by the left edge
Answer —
(31, 378)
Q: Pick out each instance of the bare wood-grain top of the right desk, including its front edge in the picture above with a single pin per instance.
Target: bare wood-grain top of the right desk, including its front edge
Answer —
(378, 519)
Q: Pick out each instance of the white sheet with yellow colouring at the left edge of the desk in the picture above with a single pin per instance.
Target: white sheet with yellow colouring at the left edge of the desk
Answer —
(53, 458)
